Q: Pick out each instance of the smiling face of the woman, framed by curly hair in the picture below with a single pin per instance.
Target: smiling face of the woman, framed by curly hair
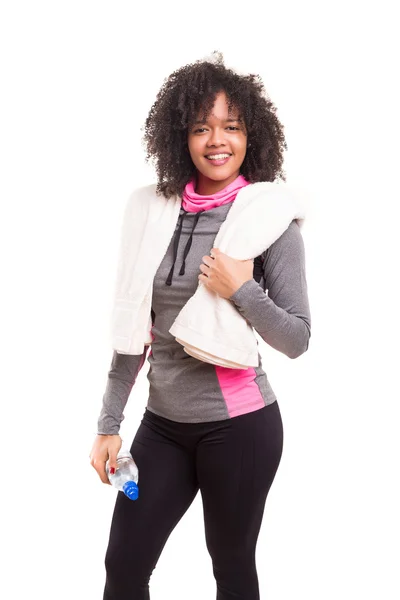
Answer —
(223, 137)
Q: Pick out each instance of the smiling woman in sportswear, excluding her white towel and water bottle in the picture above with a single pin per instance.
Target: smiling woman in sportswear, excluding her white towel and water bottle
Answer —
(210, 132)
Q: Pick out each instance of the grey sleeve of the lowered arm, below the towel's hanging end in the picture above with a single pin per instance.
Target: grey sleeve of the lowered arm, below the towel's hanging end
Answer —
(121, 378)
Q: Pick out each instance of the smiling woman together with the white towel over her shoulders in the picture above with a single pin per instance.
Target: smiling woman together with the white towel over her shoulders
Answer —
(212, 421)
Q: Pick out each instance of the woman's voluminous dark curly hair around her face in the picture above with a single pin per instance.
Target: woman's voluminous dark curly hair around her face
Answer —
(193, 88)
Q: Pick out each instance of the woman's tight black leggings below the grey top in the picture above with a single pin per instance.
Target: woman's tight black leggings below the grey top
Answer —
(233, 463)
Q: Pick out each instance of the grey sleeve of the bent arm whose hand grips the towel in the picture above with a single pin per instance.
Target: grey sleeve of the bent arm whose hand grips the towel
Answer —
(282, 315)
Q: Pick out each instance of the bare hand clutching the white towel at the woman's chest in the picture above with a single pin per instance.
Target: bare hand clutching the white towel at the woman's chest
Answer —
(223, 274)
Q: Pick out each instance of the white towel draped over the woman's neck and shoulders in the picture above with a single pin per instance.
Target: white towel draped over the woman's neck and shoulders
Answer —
(209, 327)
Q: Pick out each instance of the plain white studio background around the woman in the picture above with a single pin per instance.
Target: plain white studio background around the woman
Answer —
(78, 79)
